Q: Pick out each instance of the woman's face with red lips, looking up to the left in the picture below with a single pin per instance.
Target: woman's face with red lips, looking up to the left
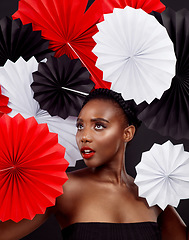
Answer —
(101, 132)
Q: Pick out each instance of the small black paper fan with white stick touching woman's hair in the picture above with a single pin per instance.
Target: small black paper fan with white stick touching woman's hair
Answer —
(61, 85)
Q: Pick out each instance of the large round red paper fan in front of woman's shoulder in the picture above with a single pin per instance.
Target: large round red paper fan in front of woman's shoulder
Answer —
(32, 168)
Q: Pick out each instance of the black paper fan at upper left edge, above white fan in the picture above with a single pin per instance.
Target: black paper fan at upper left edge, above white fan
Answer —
(18, 40)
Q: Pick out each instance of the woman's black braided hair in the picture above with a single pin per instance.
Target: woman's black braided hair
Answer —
(128, 106)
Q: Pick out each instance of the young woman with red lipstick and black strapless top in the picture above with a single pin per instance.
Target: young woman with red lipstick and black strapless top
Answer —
(101, 201)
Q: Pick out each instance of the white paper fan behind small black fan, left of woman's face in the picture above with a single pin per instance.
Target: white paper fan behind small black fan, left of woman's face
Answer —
(15, 79)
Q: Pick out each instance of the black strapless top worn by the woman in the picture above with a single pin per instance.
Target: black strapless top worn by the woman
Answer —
(112, 231)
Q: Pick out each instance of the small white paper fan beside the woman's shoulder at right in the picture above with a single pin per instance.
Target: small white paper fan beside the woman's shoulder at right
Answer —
(162, 175)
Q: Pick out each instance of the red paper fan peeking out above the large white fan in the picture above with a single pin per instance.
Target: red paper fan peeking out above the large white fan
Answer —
(147, 5)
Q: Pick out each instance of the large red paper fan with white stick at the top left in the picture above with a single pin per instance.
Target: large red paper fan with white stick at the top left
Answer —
(68, 27)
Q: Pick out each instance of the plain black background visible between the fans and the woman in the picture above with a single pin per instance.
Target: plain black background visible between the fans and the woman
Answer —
(143, 140)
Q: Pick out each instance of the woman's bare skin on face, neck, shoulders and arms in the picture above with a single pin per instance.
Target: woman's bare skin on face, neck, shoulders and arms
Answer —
(102, 192)
